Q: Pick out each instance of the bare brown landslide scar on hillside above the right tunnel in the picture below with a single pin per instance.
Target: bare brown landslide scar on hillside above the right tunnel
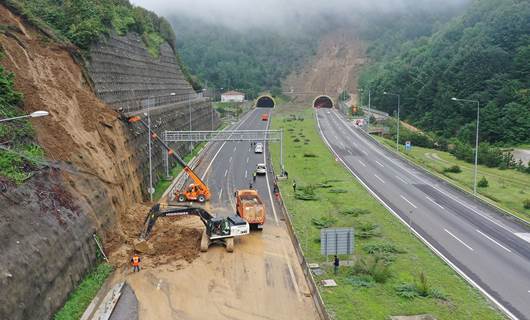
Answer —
(335, 67)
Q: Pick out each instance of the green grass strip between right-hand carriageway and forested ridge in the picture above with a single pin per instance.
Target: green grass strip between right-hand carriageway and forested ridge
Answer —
(507, 188)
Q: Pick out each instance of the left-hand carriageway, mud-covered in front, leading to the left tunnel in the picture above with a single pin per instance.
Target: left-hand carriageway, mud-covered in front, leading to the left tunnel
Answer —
(261, 279)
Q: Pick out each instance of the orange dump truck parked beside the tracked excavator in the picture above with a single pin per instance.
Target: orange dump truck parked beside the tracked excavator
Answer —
(250, 207)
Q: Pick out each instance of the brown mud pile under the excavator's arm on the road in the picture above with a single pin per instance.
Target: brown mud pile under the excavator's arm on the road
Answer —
(173, 240)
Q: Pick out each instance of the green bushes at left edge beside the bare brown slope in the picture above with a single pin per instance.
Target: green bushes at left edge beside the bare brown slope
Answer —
(19, 153)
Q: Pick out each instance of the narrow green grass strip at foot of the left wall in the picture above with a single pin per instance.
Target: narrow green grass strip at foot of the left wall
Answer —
(79, 300)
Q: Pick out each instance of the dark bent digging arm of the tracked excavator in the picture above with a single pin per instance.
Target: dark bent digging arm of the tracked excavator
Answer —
(162, 210)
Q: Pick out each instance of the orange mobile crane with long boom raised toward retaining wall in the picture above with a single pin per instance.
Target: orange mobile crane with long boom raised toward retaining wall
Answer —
(196, 191)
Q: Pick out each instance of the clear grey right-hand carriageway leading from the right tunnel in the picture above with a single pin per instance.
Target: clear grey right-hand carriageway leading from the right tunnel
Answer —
(487, 249)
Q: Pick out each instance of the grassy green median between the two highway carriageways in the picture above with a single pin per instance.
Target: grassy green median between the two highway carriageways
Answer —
(354, 297)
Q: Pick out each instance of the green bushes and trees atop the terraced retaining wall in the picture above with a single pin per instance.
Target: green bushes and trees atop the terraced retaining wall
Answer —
(83, 22)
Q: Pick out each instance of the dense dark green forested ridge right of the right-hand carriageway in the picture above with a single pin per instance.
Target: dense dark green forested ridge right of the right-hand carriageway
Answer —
(482, 55)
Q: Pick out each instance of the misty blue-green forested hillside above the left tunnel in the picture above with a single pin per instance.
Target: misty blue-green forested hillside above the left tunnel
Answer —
(251, 60)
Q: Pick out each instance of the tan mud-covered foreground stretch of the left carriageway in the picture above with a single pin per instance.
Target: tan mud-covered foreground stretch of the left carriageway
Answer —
(252, 283)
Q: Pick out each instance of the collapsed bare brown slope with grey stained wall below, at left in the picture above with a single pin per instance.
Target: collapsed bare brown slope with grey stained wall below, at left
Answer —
(47, 224)
